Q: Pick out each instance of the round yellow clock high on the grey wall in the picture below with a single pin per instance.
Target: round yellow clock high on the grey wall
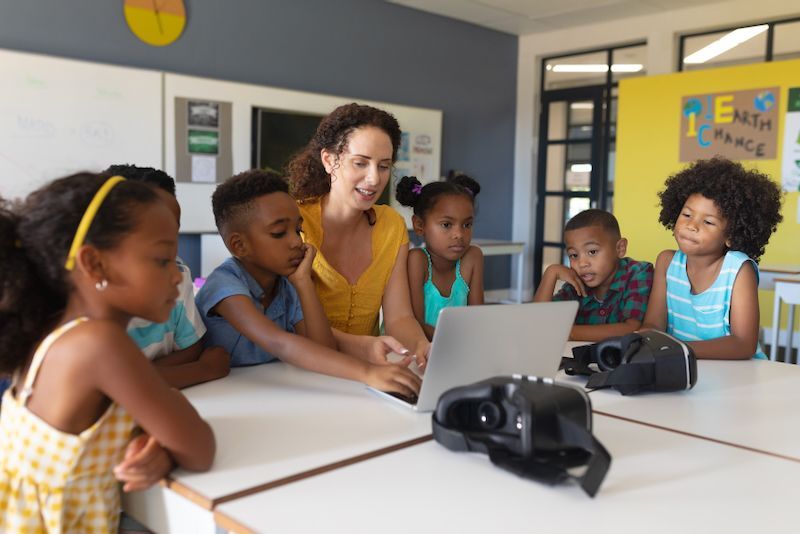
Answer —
(156, 22)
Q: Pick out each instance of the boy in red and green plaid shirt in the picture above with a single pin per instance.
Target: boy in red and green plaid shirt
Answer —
(612, 290)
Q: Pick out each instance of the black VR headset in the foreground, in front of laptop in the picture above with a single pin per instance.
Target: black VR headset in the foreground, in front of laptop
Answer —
(530, 426)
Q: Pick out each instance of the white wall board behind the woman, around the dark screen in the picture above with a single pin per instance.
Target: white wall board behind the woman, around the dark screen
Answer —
(422, 129)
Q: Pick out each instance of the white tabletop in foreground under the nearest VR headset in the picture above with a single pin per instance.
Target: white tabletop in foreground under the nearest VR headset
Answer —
(659, 482)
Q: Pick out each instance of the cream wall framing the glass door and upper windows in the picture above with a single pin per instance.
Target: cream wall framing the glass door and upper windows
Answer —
(661, 32)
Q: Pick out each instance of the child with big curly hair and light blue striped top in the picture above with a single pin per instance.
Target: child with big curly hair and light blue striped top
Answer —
(706, 293)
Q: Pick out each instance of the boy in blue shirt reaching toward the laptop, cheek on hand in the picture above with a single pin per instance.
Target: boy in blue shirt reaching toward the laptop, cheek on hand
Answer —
(261, 304)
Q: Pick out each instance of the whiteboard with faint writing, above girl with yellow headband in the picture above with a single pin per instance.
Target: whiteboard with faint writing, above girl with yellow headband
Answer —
(59, 116)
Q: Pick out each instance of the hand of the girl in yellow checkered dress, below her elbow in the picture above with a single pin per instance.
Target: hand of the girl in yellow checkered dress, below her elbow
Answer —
(145, 463)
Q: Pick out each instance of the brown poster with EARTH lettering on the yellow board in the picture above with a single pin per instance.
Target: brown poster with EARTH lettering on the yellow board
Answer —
(739, 125)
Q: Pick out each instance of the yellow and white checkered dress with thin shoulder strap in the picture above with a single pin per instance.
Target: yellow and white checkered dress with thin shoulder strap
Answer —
(52, 481)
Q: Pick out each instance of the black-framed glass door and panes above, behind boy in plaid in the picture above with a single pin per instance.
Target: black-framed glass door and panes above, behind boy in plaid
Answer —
(577, 141)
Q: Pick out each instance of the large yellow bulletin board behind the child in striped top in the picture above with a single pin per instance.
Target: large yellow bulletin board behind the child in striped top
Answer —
(656, 128)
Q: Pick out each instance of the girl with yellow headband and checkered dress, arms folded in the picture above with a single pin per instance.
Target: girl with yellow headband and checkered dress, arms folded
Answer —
(78, 259)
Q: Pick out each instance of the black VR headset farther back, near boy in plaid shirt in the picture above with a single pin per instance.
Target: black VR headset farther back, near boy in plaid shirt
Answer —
(644, 361)
